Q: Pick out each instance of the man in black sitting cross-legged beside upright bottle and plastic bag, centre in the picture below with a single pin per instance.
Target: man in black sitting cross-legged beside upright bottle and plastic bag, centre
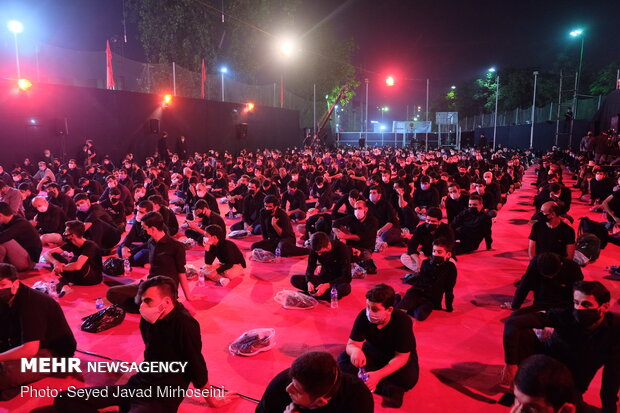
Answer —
(335, 261)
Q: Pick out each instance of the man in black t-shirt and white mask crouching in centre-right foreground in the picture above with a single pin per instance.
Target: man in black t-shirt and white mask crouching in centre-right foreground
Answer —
(382, 342)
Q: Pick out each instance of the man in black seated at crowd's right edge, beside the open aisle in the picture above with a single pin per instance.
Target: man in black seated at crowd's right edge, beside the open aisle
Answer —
(471, 227)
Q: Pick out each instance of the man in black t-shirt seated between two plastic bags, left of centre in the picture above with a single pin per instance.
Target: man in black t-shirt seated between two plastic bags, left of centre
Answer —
(232, 261)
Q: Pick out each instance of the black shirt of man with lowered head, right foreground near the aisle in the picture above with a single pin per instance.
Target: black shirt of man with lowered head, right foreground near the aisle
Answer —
(556, 292)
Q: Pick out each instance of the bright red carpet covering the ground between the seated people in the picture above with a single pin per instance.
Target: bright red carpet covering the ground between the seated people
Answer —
(460, 353)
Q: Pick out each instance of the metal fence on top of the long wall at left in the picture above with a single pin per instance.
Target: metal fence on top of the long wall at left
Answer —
(55, 65)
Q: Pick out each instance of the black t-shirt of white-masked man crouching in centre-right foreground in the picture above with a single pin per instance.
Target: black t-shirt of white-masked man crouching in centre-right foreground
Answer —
(396, 337)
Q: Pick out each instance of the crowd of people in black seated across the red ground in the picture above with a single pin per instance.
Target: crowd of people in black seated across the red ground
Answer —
(342, 207)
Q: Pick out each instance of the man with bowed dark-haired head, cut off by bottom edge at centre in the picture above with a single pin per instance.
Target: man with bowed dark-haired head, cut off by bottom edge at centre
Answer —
(314, 381)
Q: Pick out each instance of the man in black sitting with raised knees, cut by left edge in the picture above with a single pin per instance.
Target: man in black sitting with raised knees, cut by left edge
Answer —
(20, 244)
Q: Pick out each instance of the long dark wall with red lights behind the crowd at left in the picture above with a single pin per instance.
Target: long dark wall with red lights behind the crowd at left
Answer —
(118, 122)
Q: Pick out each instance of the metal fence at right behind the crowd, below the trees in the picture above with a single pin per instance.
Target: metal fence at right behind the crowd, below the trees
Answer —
(585, 109)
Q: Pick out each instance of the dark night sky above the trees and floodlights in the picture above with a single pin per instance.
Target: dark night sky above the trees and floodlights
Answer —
(446, 41)
